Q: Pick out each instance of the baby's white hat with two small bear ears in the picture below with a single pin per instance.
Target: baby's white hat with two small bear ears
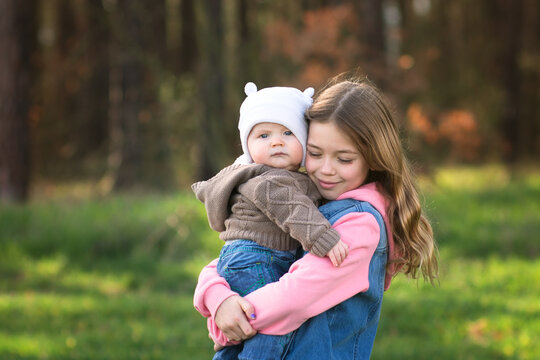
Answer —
(280, 105)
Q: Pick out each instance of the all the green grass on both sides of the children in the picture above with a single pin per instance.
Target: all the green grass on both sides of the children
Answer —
(112, 278)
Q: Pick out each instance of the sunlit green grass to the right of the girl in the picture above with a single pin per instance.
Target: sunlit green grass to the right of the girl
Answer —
(487, 305)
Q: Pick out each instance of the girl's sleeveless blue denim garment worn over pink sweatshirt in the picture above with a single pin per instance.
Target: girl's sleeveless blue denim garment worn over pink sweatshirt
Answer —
(346, 331)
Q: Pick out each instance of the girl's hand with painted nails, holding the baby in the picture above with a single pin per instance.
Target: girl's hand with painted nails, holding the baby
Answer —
(232, 318)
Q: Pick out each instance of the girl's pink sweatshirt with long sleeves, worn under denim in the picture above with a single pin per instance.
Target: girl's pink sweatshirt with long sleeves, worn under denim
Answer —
(312, 285)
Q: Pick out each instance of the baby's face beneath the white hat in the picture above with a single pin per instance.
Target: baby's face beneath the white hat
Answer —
(274, 145)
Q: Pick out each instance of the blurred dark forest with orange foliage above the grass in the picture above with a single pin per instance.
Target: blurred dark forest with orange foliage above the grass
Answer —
(145, 94)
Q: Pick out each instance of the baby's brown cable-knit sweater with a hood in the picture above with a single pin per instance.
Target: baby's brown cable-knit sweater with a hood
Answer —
(276, 208)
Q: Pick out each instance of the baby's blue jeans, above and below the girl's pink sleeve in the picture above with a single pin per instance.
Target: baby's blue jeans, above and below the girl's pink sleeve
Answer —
(248, 266)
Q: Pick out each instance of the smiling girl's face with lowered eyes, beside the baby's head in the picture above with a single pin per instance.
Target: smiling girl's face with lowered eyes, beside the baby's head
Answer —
(333, 162)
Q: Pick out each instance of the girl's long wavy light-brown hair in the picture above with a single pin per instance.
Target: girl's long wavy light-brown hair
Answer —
(358, 108)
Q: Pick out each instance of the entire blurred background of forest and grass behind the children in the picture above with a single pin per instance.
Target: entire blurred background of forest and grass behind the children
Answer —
(110, 109)
